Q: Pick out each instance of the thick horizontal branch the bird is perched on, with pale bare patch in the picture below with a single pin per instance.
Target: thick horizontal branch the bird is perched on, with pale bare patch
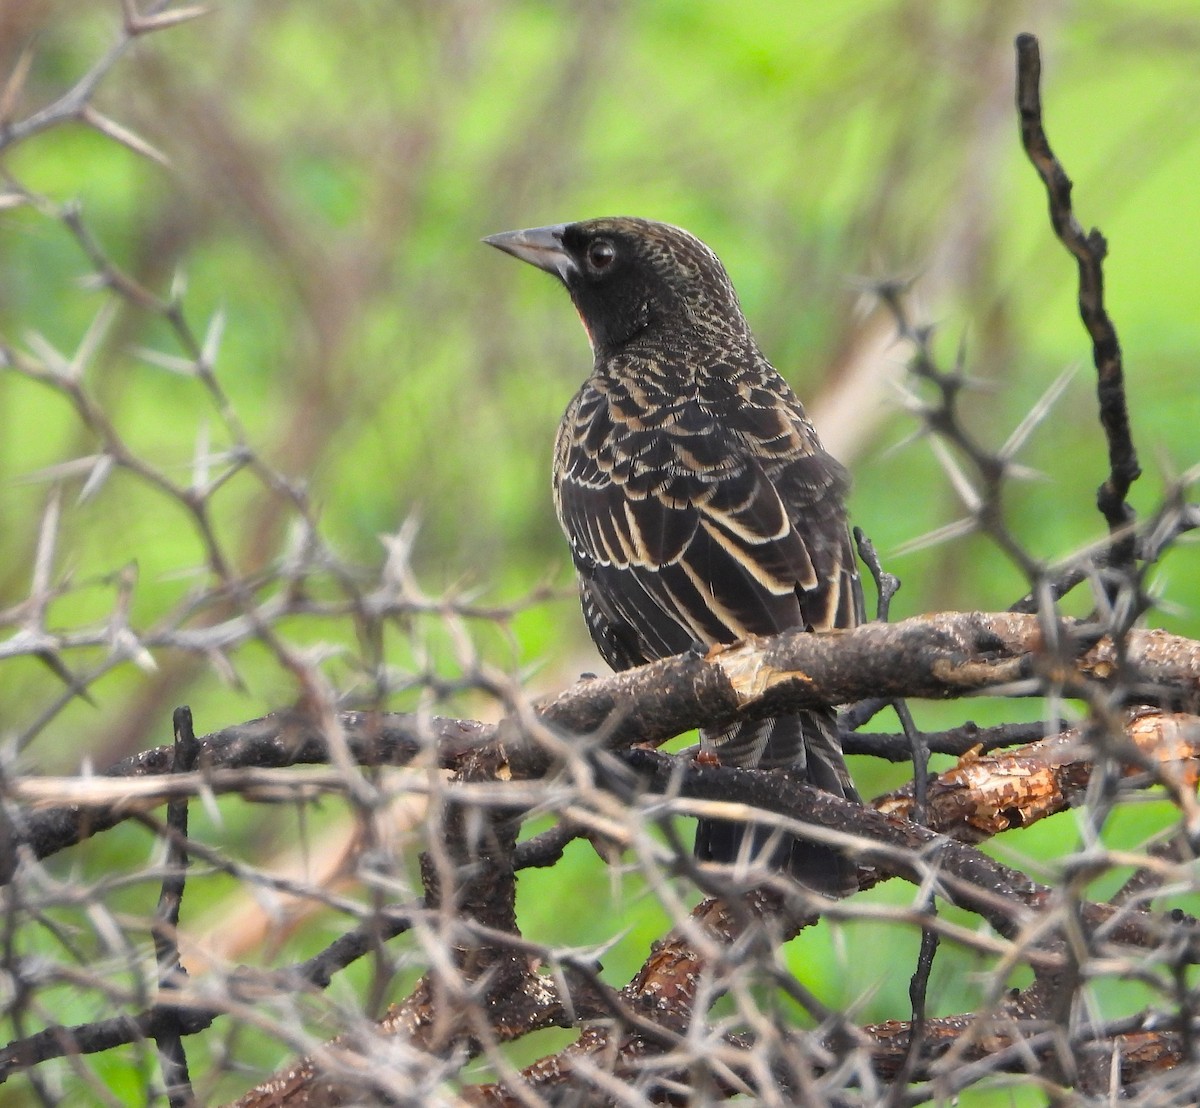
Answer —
(944, 656)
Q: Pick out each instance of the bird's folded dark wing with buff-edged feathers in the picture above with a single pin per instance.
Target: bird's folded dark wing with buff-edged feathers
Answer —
(680, 535)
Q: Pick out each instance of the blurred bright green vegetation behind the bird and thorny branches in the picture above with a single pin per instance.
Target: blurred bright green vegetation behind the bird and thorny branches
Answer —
(329, 172)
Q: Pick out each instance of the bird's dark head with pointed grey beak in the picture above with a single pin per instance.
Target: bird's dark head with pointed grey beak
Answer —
(632, 278)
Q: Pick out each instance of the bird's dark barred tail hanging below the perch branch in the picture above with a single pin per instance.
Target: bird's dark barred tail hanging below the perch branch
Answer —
(805, 744)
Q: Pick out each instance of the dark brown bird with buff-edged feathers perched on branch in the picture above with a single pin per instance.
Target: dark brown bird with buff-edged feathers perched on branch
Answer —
(697, 499)
